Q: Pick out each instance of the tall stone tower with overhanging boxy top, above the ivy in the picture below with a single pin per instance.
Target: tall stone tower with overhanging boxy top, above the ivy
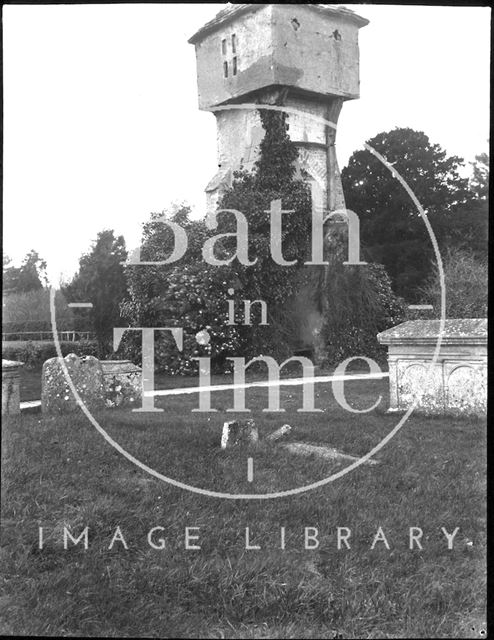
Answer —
(305, 57)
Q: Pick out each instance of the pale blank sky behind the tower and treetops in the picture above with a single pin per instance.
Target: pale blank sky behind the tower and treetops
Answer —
(102, 126)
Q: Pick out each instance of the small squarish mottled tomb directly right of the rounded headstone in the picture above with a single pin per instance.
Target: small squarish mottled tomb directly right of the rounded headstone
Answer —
(123, 383)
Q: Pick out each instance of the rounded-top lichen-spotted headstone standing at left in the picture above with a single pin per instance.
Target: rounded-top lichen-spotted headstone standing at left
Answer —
(86, 375)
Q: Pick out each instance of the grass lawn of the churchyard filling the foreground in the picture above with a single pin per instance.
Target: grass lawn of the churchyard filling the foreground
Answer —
(58, 471)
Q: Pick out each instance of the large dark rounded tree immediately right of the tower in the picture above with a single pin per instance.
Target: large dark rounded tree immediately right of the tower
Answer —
(392, 232)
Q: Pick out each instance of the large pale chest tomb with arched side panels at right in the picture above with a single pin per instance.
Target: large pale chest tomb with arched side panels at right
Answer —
(455, 384)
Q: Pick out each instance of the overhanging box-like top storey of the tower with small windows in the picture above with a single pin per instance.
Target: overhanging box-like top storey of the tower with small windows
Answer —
(312, 48)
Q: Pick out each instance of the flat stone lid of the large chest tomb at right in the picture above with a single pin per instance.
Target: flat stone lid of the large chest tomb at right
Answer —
(455, 330)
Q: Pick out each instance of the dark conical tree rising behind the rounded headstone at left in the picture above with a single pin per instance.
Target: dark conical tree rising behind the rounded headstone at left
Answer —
(101, 281)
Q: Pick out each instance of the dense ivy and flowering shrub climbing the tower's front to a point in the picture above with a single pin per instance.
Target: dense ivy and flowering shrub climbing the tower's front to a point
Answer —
(196, 294)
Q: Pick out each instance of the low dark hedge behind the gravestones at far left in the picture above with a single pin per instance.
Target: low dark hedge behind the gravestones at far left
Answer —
(34, 353)
